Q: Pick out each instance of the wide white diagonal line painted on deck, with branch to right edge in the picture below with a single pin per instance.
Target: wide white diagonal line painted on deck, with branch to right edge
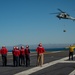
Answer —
(35, 69)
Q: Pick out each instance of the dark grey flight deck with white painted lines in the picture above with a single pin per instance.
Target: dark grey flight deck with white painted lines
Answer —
(56, 63)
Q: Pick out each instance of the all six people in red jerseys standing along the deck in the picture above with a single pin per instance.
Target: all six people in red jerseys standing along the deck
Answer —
(22, 56)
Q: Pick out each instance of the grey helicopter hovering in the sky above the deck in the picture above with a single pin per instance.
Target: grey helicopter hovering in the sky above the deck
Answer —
(63, 15)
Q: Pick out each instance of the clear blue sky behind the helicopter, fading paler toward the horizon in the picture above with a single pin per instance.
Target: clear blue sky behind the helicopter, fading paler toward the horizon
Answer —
(30, 22)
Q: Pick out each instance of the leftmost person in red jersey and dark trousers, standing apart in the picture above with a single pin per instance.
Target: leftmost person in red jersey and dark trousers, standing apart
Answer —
(4, 55)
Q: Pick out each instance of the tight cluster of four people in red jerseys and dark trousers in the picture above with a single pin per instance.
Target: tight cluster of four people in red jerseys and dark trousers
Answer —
(21, 56)
